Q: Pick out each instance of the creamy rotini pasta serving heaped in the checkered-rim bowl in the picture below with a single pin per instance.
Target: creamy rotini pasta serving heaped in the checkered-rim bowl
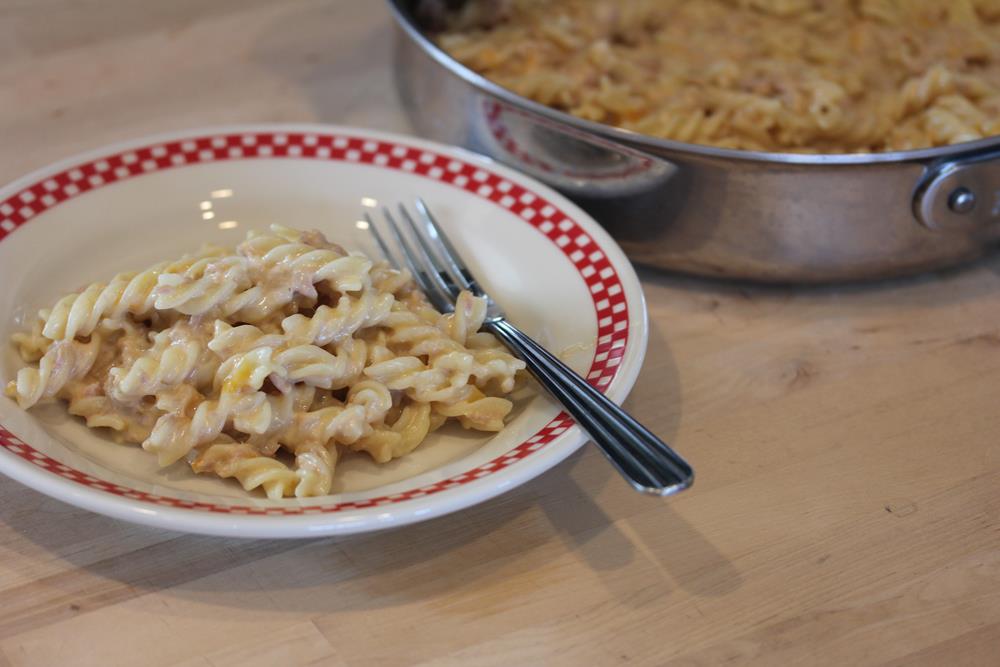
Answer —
(266, 362)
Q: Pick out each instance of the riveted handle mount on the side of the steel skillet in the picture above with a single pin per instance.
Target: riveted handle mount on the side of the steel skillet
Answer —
(961, 195)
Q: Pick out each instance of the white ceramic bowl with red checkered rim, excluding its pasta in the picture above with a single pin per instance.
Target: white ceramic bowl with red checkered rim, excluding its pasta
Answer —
(558, 274)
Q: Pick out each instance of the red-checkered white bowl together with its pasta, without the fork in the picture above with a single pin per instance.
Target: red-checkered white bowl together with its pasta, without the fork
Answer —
(202, 336)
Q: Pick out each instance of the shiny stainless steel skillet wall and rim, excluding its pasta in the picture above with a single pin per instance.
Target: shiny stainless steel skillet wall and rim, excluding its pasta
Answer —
(712, 211)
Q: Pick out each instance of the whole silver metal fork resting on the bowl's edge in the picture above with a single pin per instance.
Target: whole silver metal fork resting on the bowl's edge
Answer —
(645, 461)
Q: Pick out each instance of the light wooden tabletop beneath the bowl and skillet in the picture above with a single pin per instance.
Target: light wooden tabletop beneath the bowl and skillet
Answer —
(847, 440)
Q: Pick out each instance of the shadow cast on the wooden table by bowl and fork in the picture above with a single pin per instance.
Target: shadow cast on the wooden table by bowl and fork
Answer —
(501, 551)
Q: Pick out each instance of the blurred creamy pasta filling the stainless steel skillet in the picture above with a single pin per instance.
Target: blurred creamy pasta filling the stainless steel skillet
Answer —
(825, 76)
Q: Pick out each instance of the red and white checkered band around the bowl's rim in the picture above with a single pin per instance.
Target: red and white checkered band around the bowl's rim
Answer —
(594, 267)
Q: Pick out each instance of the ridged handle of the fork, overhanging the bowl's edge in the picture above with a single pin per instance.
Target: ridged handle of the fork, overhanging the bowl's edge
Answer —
(645, 461)
